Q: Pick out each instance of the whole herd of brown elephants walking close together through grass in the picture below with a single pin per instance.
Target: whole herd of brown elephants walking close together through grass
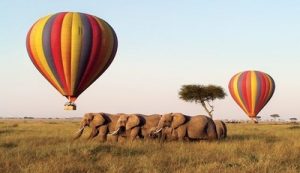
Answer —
(167, 127)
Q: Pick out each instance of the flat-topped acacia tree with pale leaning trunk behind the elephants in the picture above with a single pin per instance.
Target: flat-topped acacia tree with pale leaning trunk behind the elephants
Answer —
(203, 94)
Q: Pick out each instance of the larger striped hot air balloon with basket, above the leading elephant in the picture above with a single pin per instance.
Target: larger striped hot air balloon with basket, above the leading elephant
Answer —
(71, 50)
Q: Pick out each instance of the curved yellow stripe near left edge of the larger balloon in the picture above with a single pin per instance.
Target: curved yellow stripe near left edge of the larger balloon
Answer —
(36, 42)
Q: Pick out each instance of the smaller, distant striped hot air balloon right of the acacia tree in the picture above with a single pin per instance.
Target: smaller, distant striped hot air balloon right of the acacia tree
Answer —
(251, 90)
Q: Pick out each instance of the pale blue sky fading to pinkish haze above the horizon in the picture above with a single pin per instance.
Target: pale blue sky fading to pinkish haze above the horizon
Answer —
(162, 46)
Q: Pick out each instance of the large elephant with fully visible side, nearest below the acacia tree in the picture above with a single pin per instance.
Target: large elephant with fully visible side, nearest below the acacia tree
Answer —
(188, 127)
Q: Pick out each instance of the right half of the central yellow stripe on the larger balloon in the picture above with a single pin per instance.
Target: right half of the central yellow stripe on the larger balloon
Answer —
(76, 42)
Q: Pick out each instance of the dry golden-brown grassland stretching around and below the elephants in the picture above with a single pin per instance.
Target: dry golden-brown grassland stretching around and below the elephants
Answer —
(42, 146)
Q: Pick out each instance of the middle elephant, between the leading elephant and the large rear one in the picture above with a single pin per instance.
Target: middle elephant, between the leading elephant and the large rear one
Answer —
(134, 126)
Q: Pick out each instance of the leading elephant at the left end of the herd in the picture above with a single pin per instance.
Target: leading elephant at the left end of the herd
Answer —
(100, 123)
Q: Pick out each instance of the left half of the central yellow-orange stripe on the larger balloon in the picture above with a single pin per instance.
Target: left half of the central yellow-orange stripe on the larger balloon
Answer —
(66, 48)
